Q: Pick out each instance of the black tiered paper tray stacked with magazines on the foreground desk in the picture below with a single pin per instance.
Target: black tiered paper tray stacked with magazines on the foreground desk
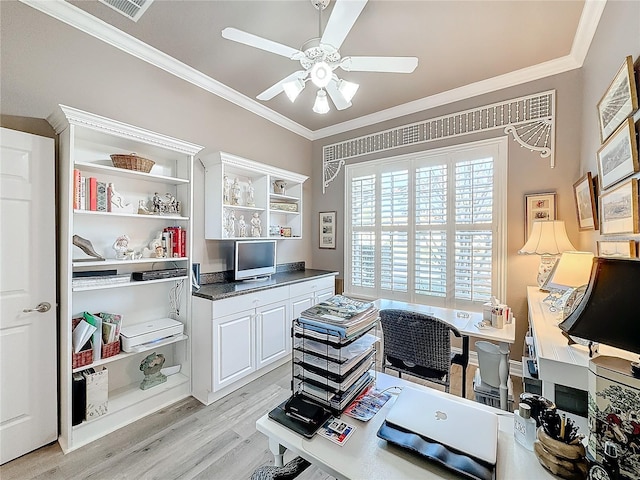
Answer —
(333, 351)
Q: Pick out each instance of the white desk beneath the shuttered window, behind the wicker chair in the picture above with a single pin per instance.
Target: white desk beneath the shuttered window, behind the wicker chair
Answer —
(466, 322)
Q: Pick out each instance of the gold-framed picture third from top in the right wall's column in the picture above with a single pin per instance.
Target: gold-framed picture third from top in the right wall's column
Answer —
(619, 209)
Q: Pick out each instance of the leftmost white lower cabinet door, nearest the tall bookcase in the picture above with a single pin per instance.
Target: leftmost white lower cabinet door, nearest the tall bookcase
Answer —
(233, 340)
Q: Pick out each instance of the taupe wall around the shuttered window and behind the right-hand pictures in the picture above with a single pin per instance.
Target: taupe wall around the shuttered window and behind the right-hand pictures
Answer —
(577, 141)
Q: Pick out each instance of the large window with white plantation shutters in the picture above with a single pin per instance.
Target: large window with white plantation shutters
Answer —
(425, 227)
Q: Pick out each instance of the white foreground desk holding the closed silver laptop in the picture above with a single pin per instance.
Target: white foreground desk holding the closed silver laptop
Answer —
(365, 456)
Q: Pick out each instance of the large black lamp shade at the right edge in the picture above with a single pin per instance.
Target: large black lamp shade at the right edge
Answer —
(608, 311)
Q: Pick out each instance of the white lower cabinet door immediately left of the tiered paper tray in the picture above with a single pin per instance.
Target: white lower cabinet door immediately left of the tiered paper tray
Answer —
(273, 333)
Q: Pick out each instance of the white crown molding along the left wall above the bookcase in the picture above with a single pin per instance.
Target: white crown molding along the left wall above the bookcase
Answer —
(77, 18)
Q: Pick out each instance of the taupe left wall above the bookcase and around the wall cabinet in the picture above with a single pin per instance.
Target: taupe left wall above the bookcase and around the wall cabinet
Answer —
(45, 63)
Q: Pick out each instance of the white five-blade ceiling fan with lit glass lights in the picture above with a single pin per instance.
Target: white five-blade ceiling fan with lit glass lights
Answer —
(319, 57)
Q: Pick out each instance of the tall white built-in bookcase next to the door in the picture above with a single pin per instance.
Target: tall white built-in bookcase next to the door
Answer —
(86, 143)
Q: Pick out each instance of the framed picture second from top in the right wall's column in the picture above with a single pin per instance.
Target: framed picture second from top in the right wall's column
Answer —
(618, 157)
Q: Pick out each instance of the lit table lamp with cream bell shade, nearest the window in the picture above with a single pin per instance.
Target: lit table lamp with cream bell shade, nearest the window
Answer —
(549, 239)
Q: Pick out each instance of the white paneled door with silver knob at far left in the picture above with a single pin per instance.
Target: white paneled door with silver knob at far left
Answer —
(28, 362)
